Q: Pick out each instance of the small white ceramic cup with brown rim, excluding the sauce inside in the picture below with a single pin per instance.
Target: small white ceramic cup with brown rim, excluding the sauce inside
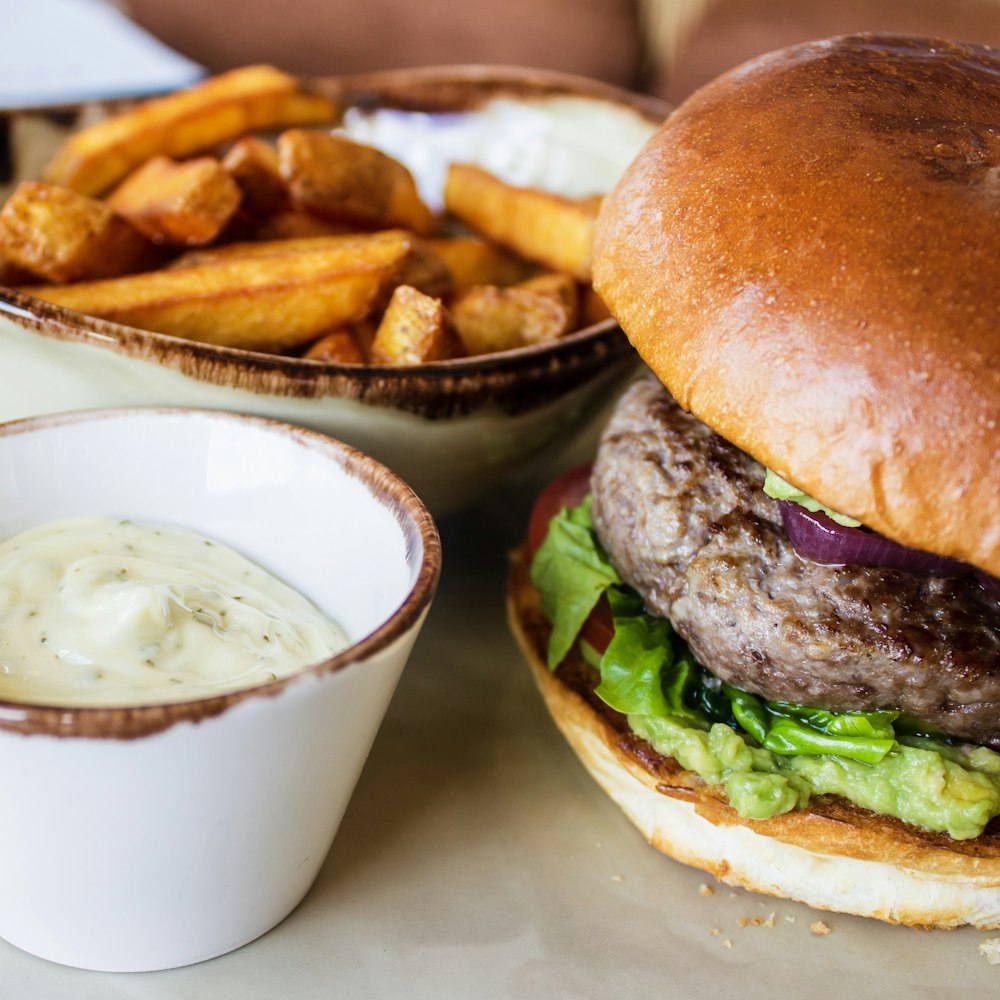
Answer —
(141, 838)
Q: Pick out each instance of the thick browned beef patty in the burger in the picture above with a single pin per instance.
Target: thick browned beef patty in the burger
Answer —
(683, 517)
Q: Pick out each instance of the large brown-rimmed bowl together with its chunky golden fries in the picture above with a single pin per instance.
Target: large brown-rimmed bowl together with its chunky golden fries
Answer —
(398, 259)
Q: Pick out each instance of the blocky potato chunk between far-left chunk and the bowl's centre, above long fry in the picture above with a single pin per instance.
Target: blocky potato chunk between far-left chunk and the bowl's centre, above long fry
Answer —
(180, 204)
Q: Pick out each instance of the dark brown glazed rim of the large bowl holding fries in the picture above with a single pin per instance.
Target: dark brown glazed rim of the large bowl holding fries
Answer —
(434, 89)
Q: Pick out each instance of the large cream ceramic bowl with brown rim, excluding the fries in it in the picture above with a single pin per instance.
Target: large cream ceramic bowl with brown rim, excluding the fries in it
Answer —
(452, 429)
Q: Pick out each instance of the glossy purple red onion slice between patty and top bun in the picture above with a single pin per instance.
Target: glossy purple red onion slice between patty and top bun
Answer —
(821, 539)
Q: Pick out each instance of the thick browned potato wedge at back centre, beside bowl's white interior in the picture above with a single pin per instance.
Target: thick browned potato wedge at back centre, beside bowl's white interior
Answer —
(338, 179)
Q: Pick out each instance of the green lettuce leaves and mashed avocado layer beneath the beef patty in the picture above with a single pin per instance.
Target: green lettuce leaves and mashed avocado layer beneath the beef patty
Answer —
(768, 757)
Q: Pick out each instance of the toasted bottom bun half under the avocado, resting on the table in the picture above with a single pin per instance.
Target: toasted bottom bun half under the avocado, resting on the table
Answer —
(831, 855)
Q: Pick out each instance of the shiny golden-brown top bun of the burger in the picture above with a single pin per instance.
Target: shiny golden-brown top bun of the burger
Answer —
(807, 254)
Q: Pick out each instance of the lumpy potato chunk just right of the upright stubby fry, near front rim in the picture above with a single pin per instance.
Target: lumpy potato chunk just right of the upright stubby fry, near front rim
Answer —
(489, 319)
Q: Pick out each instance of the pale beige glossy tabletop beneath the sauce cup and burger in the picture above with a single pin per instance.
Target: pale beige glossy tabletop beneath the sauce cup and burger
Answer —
(478, 859)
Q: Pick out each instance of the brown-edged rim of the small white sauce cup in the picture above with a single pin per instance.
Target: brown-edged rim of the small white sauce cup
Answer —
(418, 527)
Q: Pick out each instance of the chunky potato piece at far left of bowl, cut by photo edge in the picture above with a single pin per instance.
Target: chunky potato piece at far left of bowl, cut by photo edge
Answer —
(58, 235)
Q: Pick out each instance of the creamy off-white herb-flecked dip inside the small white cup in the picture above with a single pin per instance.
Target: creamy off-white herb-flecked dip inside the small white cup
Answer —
(100, 611)
